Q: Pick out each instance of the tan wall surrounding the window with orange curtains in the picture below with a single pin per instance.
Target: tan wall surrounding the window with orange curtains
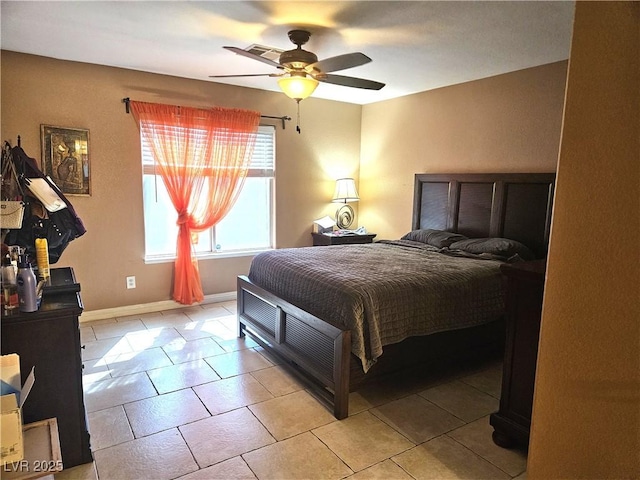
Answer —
(38, 90)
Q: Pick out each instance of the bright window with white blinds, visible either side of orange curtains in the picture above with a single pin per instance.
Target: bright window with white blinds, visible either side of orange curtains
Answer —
(248, 227)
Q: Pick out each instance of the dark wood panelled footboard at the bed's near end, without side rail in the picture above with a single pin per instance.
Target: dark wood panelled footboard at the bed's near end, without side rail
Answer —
(316, 351)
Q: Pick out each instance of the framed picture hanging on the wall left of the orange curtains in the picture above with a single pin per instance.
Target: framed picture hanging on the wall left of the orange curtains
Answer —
(65, 158)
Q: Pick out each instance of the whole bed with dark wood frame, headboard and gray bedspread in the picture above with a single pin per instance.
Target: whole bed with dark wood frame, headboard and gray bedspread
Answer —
(337, 315)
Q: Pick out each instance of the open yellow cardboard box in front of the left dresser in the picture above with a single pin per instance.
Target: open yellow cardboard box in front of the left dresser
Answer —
(11, 401)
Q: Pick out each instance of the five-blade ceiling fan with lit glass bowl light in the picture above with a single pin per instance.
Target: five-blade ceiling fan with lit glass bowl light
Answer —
(301, 70)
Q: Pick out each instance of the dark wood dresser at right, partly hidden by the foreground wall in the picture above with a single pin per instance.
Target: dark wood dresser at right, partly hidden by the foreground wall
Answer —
(524, 292)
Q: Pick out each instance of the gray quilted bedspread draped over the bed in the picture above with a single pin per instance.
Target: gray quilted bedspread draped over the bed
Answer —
(383, 292)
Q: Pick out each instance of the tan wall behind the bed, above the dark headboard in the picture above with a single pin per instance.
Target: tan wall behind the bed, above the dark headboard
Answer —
(508, 123)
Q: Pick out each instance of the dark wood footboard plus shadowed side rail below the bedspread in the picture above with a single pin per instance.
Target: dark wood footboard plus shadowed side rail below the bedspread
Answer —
(319, 354)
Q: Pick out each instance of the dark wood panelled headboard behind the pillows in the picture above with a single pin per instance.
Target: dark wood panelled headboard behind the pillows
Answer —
(509, 205)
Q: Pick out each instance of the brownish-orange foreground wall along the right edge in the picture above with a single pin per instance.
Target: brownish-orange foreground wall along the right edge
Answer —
(586, 416)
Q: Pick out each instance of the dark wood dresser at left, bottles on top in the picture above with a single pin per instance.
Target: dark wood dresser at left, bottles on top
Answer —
(49, 340)
